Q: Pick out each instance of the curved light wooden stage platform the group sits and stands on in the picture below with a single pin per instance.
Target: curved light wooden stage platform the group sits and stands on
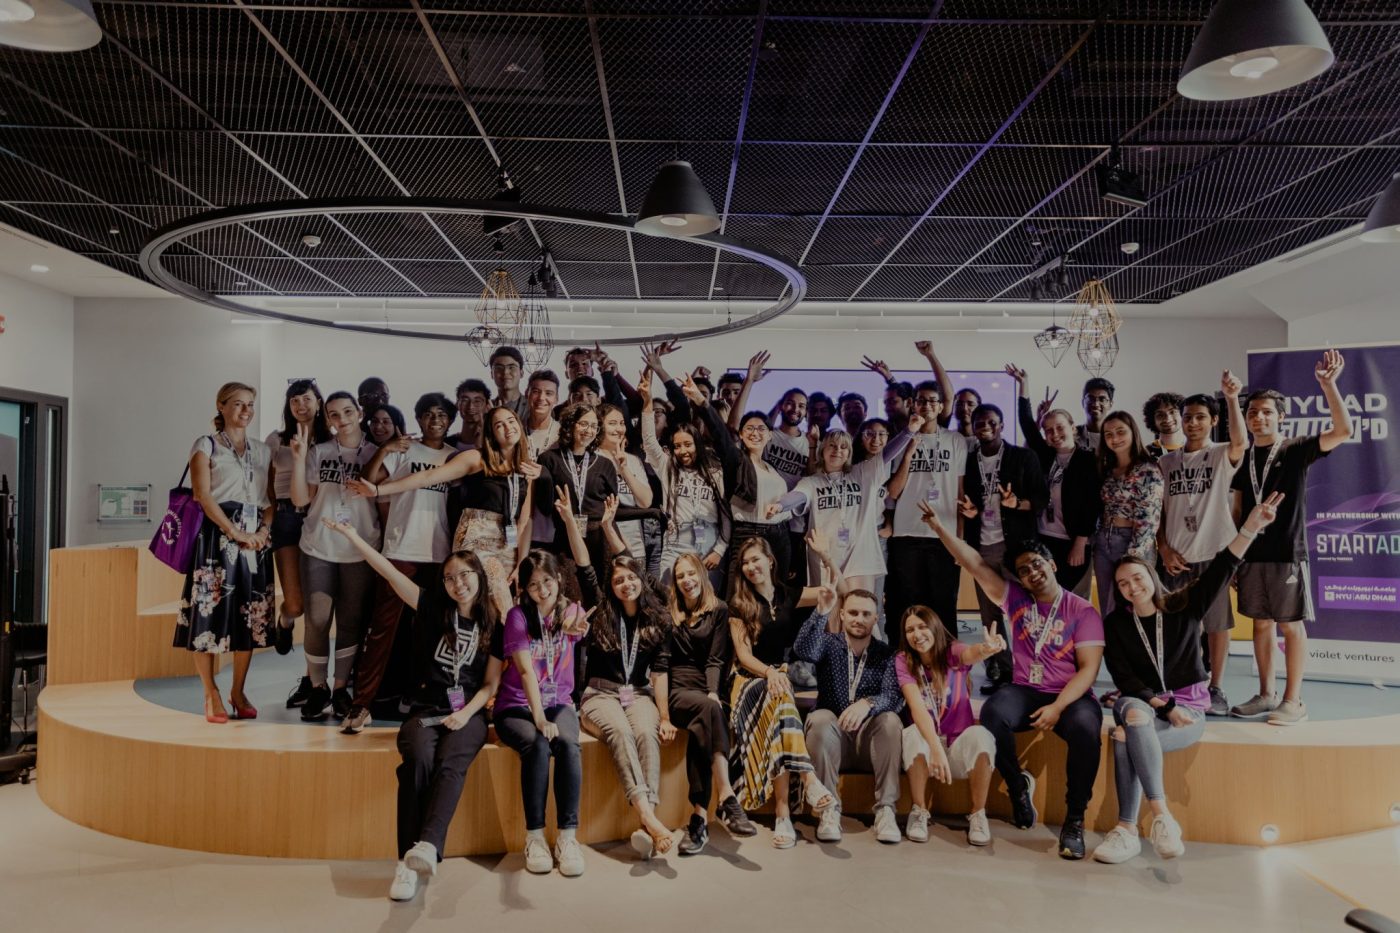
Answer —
(114, 761)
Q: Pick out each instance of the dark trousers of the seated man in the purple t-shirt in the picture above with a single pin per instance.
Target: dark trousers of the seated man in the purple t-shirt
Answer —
(1009, 711)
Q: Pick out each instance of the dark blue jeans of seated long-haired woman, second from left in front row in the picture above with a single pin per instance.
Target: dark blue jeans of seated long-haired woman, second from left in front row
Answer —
(516, 728)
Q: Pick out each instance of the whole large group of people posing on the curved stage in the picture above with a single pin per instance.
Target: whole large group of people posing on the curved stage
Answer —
(656, 562)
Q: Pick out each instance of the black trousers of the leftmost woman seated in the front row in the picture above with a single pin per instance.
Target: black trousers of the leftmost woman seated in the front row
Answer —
(430, 780)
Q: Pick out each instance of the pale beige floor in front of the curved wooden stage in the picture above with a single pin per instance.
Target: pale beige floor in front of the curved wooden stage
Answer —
(59, 876)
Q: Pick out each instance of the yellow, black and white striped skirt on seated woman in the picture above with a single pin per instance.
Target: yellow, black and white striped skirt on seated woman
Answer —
(768, 740)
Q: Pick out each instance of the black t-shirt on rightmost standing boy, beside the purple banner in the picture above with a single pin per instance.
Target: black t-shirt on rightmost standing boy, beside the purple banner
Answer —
(1286, 540)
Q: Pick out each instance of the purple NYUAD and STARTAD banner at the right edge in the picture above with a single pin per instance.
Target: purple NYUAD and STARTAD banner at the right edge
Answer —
(1353, 499)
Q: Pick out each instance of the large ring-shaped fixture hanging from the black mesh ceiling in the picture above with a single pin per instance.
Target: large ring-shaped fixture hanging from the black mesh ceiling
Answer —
(173, 235)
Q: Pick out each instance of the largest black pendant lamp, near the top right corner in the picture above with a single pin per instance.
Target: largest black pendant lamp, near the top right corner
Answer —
(1255, 47)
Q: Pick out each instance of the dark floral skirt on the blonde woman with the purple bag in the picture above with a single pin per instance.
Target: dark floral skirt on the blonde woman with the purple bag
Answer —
(227, 602)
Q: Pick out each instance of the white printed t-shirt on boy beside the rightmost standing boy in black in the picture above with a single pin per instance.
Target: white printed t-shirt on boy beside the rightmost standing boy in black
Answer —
(1198, 506)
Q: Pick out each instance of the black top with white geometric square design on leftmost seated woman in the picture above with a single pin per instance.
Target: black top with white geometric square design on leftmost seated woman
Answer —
(435, 656)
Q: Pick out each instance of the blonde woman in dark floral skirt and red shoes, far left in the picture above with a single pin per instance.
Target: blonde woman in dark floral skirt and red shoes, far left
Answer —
(227, 602)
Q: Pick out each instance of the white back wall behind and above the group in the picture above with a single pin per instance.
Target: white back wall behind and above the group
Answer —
(148, 373)
